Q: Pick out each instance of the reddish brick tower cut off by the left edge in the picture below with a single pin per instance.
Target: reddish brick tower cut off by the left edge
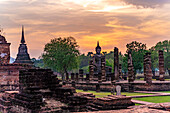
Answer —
(4, 50)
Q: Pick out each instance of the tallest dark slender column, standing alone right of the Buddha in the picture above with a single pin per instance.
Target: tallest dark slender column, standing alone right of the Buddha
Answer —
(116, 63)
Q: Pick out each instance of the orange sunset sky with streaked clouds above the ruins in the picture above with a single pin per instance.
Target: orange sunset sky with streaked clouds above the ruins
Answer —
(112, 22)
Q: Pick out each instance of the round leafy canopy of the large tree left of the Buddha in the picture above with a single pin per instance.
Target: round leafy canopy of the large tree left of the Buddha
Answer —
(61, 54)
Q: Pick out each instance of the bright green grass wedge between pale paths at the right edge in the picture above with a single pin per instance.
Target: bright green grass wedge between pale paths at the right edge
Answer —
(157, 99)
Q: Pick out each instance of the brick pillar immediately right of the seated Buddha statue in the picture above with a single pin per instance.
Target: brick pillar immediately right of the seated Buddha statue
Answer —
(103, 66)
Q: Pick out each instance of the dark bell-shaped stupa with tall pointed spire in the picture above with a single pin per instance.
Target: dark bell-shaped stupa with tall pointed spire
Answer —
(23, 56)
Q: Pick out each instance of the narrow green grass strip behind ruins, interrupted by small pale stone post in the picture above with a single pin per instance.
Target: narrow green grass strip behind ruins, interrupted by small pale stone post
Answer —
(102, 94)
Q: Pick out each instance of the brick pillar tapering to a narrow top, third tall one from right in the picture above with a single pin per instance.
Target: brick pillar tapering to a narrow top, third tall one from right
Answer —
(131, 75)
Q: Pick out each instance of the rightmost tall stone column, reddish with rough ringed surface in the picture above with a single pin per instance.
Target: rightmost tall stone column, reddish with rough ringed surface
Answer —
(161, 66)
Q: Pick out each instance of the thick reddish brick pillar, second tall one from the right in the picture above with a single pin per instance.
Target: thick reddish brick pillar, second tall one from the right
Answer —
(148, 68)
